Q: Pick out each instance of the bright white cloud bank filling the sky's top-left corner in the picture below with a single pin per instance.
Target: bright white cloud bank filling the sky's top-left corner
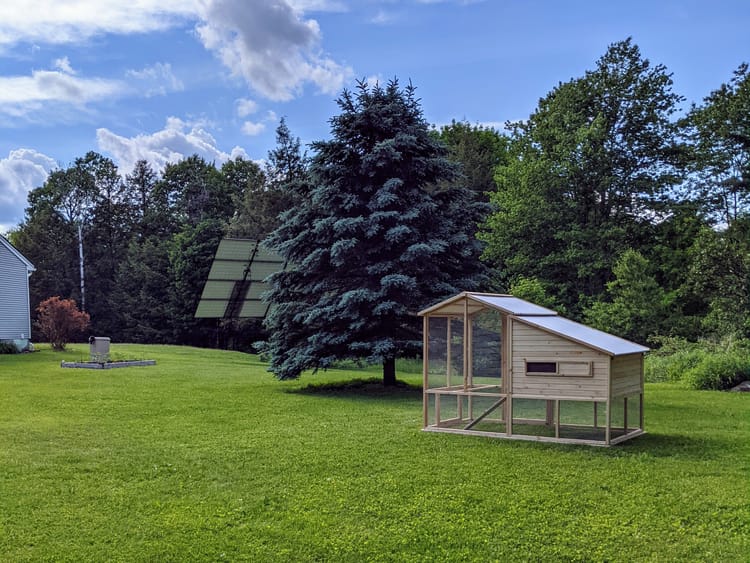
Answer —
(56, 22)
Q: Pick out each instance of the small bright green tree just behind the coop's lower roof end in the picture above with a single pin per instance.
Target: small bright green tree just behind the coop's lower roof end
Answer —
(638, 306)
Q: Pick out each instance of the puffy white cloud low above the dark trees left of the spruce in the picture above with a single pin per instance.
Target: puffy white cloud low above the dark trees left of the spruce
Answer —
(178, 139)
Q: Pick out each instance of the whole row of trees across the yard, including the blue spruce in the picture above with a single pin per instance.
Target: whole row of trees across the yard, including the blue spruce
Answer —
(607, 204)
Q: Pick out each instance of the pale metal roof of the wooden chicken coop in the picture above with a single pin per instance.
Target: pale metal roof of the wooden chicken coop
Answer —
(539, 317)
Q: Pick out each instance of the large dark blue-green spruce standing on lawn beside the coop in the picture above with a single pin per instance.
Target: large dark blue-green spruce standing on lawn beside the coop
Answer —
(372, 242)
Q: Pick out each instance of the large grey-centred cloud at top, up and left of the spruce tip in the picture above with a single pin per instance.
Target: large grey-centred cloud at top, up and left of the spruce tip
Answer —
(271, 46)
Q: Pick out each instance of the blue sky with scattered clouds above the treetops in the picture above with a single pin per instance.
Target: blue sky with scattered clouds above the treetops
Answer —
(163, 79)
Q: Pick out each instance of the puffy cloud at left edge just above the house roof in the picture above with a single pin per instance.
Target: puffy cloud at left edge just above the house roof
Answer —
(20, 172)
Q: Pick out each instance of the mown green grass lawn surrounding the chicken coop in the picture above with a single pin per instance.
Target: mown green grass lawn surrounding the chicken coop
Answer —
(206, 457)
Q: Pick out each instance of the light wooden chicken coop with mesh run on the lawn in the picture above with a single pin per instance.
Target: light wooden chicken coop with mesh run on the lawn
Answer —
(496, 365)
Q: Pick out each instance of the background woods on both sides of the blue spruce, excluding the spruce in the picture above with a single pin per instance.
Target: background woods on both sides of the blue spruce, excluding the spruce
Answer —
(608, 204)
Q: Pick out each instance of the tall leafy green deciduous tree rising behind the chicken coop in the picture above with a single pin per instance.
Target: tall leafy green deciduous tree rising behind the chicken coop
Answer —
(587, 171)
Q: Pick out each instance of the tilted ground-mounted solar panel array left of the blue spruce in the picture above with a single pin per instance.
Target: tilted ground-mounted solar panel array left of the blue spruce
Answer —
(236, 280)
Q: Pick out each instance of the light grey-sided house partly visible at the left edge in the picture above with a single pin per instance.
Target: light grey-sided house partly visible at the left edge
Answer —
(15, 312)
